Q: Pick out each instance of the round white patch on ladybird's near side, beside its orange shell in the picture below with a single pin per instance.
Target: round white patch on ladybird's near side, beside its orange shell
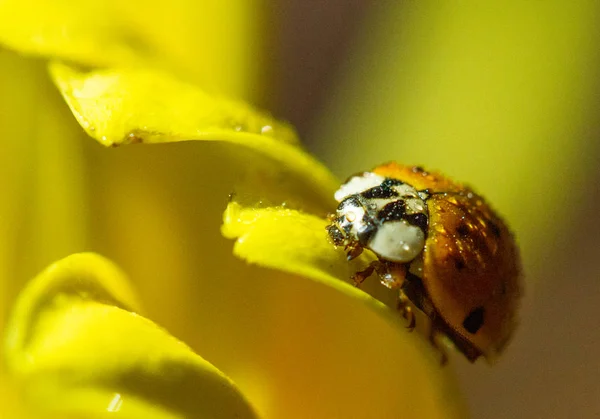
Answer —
(397, 241)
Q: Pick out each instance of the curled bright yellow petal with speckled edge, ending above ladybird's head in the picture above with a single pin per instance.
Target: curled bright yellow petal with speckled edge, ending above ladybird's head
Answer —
(134, 106)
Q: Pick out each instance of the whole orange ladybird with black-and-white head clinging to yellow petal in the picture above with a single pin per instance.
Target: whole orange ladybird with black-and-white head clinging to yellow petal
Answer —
(438, 243)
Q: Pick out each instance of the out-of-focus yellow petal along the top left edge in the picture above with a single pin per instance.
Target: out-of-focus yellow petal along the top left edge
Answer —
(180, 36)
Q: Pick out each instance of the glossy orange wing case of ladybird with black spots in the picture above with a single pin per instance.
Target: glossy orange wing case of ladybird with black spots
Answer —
(471, 265)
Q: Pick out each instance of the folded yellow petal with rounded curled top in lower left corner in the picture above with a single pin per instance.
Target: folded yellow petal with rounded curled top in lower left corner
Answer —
(77, 346)
